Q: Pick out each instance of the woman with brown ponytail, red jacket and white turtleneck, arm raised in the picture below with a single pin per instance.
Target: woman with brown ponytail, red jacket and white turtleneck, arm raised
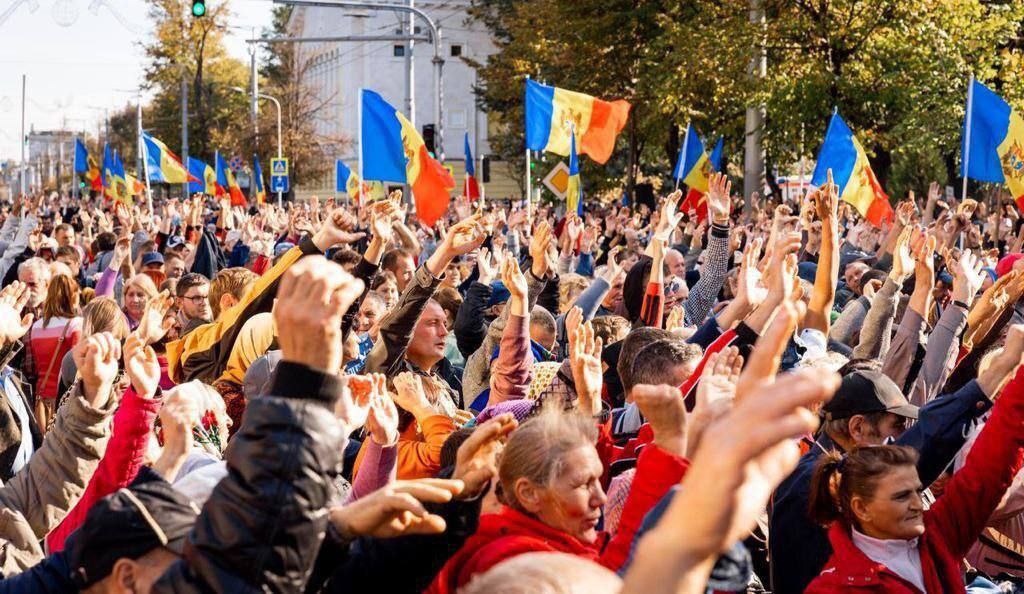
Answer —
(883, 539)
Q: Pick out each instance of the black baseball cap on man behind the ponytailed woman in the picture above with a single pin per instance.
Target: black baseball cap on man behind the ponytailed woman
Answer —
(863, 393)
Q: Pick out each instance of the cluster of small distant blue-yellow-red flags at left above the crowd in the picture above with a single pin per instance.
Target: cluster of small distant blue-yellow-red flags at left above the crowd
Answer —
(165, 167)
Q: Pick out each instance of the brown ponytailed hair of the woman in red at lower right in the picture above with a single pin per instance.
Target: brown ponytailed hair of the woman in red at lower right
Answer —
(839, 479)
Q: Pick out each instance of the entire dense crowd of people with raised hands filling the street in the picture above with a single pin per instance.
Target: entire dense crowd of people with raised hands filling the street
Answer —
(330, 397)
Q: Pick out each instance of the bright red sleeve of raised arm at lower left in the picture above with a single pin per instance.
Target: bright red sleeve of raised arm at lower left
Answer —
(121, 462)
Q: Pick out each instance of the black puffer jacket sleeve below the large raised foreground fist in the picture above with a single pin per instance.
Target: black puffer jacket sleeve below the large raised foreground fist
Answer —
(263, 527)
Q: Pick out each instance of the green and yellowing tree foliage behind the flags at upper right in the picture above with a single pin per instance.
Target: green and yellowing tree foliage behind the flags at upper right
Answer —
(897, 70)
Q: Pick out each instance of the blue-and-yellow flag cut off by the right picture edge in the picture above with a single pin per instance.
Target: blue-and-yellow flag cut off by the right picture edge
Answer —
(993, 146)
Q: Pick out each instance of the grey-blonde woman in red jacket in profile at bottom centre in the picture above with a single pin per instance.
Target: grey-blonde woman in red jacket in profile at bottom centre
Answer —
(550, 488)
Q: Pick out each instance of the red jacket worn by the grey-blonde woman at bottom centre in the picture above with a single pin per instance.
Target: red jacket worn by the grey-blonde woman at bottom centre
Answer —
(509, 533)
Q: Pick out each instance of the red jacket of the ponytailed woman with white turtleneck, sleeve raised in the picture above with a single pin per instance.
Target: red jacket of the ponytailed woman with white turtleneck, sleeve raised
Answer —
(954, 524)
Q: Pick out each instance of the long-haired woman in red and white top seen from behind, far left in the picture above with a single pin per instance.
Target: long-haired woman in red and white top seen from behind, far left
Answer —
(51, 340)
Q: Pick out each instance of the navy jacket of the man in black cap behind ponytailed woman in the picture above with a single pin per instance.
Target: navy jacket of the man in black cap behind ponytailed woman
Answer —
(799, 548)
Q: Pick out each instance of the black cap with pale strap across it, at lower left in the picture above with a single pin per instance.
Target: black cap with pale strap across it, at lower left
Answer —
(130, 524)
